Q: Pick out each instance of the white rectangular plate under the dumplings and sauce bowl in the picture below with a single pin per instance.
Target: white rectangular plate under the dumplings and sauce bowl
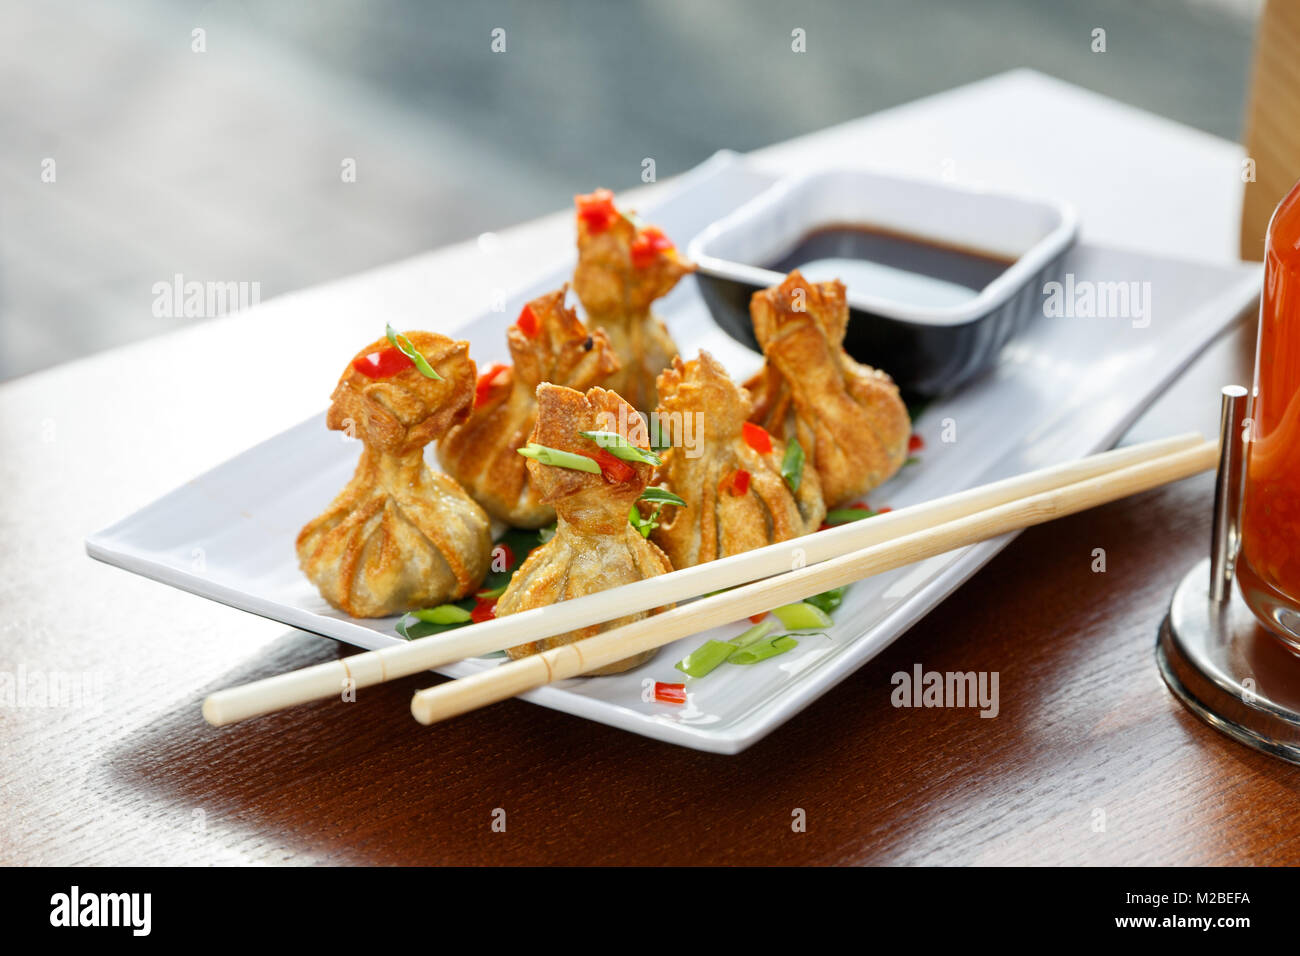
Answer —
(1067, 388)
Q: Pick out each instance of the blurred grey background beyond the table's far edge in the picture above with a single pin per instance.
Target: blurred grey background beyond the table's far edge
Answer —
(227, 165)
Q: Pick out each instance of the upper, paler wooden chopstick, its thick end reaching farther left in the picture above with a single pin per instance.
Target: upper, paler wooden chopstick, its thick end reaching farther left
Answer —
(371, 668)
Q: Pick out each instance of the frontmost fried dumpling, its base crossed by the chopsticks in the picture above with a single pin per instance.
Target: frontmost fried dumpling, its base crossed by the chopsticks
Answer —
(595, 546)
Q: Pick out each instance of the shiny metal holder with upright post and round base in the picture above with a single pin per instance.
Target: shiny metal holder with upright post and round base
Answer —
(1212, 651)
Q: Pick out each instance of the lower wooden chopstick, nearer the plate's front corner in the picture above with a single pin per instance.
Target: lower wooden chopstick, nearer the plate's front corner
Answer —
(571, 660)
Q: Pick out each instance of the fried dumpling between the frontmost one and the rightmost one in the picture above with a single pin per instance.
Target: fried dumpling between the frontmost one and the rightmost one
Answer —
(731, 479)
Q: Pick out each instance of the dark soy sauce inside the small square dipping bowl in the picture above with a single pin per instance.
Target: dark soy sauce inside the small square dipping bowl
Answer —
(894, 266)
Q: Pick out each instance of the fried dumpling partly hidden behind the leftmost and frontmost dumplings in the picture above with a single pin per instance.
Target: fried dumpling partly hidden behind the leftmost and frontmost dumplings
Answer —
(548, 344)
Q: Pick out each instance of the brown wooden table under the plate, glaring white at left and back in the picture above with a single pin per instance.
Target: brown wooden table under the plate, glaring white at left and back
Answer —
(1086, 726)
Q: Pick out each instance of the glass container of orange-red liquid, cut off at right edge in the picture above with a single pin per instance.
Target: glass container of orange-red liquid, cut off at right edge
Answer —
(1268, 568)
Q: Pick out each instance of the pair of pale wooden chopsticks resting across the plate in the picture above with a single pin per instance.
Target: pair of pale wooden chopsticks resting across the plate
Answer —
(756, 582)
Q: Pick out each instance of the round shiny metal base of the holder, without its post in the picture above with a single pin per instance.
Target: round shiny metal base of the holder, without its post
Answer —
(1229, 671)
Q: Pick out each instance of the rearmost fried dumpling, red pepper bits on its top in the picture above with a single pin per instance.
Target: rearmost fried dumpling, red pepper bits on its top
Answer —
(622, 269)
